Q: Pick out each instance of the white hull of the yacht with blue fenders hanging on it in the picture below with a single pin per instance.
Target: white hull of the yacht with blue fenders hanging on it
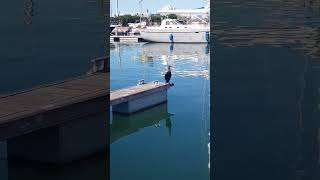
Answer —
(176, 37)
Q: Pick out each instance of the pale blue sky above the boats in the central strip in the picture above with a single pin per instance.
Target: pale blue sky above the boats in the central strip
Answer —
(131, 6)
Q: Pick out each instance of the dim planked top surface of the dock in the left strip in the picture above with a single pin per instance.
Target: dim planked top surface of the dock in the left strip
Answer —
(53, 96)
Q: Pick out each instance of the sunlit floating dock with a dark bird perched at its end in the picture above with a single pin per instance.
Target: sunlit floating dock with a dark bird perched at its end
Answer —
(139, 97)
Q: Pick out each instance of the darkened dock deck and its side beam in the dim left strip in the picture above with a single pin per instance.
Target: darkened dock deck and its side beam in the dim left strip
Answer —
(25, 111)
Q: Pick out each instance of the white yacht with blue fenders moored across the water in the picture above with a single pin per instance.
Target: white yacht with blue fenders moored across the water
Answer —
(172, 31)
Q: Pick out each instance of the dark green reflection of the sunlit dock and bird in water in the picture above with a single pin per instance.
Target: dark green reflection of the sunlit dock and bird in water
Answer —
(125, 125)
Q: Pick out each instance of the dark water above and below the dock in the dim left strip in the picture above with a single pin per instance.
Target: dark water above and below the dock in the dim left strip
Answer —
(43, 41)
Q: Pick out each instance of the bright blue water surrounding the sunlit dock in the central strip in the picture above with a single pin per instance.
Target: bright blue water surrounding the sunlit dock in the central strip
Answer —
(168, 141)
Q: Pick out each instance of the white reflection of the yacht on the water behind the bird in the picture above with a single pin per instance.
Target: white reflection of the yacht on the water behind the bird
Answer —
(186, 59)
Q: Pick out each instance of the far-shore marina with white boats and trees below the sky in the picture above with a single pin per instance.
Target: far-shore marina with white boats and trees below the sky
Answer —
(188, 26)
